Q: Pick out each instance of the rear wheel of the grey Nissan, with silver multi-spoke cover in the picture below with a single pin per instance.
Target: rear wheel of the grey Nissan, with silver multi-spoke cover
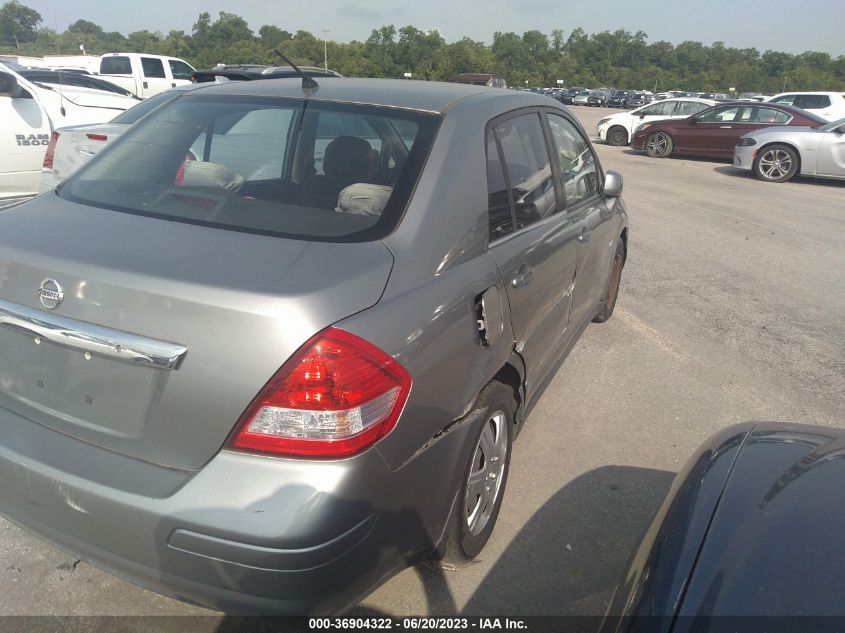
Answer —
(477, 508)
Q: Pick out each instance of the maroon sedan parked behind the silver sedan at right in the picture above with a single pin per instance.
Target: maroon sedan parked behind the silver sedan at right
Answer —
(715, 131)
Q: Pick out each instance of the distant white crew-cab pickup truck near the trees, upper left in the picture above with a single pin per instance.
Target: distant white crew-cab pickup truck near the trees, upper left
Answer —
(144, 75)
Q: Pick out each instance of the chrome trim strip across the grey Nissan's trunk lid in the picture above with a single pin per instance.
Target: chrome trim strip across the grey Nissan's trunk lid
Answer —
(86, 337)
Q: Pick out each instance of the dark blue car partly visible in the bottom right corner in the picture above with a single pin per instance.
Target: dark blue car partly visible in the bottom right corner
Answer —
(751, 527)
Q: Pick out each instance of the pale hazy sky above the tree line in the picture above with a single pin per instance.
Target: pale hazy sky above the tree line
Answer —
(782, 25)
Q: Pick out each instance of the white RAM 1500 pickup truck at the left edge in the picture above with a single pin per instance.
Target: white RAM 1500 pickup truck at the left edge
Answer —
(30, 112)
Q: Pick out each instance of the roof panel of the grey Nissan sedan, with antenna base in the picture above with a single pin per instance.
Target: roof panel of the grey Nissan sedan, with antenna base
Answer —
(428, 96)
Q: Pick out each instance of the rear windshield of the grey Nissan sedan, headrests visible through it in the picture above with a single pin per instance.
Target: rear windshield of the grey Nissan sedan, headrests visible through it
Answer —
(294, 168)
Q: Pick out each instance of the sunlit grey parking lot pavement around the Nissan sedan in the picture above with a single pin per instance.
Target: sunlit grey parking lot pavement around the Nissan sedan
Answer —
(730, 310)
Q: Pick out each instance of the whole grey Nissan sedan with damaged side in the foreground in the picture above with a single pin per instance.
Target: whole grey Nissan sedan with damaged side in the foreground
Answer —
(273, 344)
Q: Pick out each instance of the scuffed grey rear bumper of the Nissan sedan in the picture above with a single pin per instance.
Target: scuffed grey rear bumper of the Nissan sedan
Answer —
(245, 534)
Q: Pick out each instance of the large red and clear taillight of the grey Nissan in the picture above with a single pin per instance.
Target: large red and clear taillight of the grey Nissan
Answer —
(335, 397)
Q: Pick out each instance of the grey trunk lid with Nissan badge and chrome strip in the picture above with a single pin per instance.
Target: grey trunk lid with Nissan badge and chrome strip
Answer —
(166, 331)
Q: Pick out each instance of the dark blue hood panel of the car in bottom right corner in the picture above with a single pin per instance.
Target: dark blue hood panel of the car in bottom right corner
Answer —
(775, 545)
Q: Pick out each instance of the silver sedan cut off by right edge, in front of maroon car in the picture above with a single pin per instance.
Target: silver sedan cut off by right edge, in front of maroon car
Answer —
(776, 154)
